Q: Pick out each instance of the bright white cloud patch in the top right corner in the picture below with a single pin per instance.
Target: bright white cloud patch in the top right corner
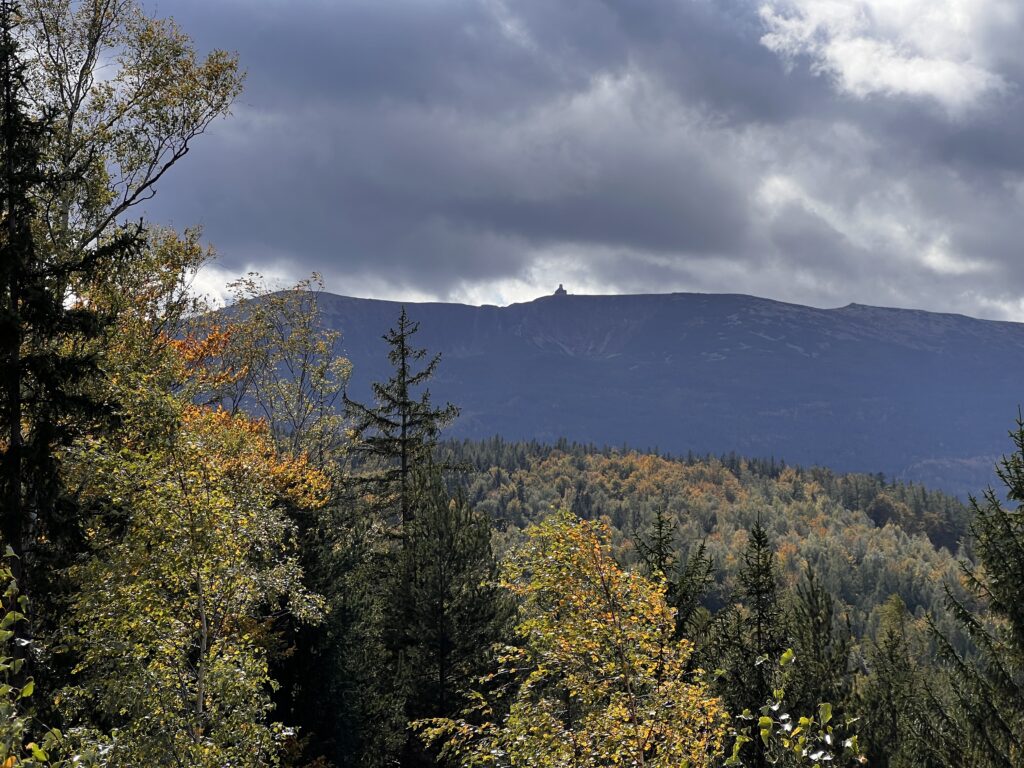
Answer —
(934, 50)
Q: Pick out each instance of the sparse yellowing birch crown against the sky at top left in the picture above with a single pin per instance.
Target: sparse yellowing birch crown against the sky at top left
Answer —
(129, 96)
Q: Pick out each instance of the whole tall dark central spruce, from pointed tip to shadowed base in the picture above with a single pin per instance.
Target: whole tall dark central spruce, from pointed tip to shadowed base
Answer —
(418, 659)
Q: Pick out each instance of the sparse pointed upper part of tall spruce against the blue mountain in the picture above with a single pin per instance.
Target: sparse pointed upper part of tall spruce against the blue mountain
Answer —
(401, 431)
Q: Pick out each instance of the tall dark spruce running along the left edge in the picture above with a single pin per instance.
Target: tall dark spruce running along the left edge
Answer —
(46, 334)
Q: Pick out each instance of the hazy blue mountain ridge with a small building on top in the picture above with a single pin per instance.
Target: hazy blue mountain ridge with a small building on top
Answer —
(917, 396)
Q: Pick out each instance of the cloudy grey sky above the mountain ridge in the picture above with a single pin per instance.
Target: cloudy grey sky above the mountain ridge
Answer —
(819, 152)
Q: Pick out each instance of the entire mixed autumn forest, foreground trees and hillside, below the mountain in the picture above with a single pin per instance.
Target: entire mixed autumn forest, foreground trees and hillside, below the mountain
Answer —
(216, 558)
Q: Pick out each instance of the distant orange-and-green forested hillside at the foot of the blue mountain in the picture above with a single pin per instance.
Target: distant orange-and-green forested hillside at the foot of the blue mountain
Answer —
(865, 539)
